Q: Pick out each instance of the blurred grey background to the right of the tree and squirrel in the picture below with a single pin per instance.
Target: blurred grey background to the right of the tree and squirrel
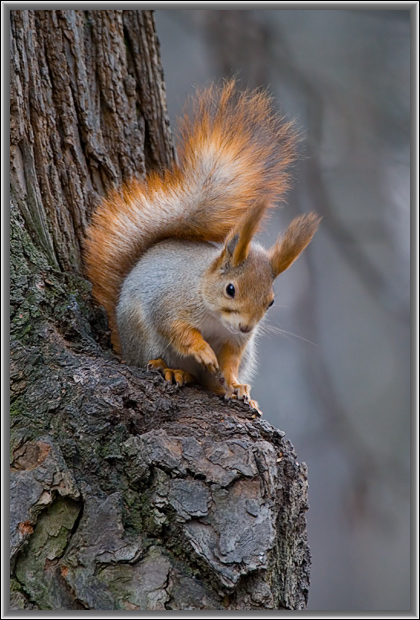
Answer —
(334, 370)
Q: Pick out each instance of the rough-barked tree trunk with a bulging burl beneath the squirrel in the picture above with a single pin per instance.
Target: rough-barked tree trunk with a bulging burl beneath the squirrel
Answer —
(126, 493)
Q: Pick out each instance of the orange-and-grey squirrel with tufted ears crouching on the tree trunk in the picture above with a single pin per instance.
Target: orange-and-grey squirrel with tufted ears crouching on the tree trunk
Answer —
(172, 257)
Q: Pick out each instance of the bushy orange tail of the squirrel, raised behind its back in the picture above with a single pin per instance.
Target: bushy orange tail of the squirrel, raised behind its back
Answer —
(233, 149)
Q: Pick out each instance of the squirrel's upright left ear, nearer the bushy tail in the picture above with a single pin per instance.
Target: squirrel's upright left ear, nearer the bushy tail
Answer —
(238, 242)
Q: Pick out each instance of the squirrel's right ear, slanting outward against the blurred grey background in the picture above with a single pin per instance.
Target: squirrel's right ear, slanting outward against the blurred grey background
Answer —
(288, 247)
